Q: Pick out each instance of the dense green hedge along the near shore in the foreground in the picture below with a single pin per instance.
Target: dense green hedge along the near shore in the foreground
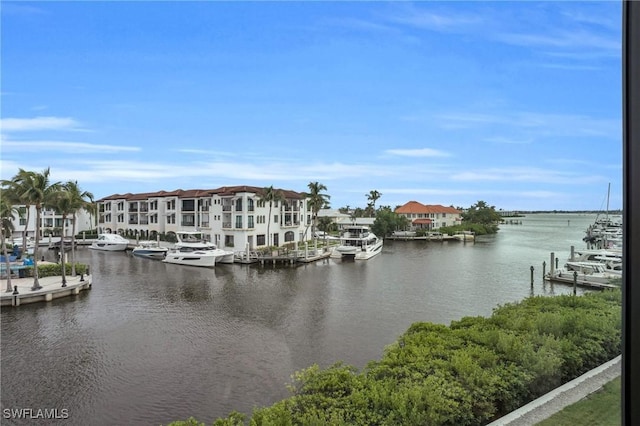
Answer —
(469, 373)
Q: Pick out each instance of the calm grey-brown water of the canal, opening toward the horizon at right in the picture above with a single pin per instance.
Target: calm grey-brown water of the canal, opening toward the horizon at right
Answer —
(152, 342)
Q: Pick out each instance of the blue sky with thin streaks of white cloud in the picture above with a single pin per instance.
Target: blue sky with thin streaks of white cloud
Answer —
(514, 103)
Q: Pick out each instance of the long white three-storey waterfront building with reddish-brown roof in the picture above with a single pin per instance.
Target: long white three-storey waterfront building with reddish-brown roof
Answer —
(233, 217)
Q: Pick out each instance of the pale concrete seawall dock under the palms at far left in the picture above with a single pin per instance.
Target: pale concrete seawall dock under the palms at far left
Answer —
(51, 289)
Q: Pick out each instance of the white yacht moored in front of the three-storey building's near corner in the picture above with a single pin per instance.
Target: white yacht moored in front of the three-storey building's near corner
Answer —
(192, 249)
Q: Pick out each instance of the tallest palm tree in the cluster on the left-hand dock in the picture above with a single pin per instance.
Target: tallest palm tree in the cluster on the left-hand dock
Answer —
(37, 191)
